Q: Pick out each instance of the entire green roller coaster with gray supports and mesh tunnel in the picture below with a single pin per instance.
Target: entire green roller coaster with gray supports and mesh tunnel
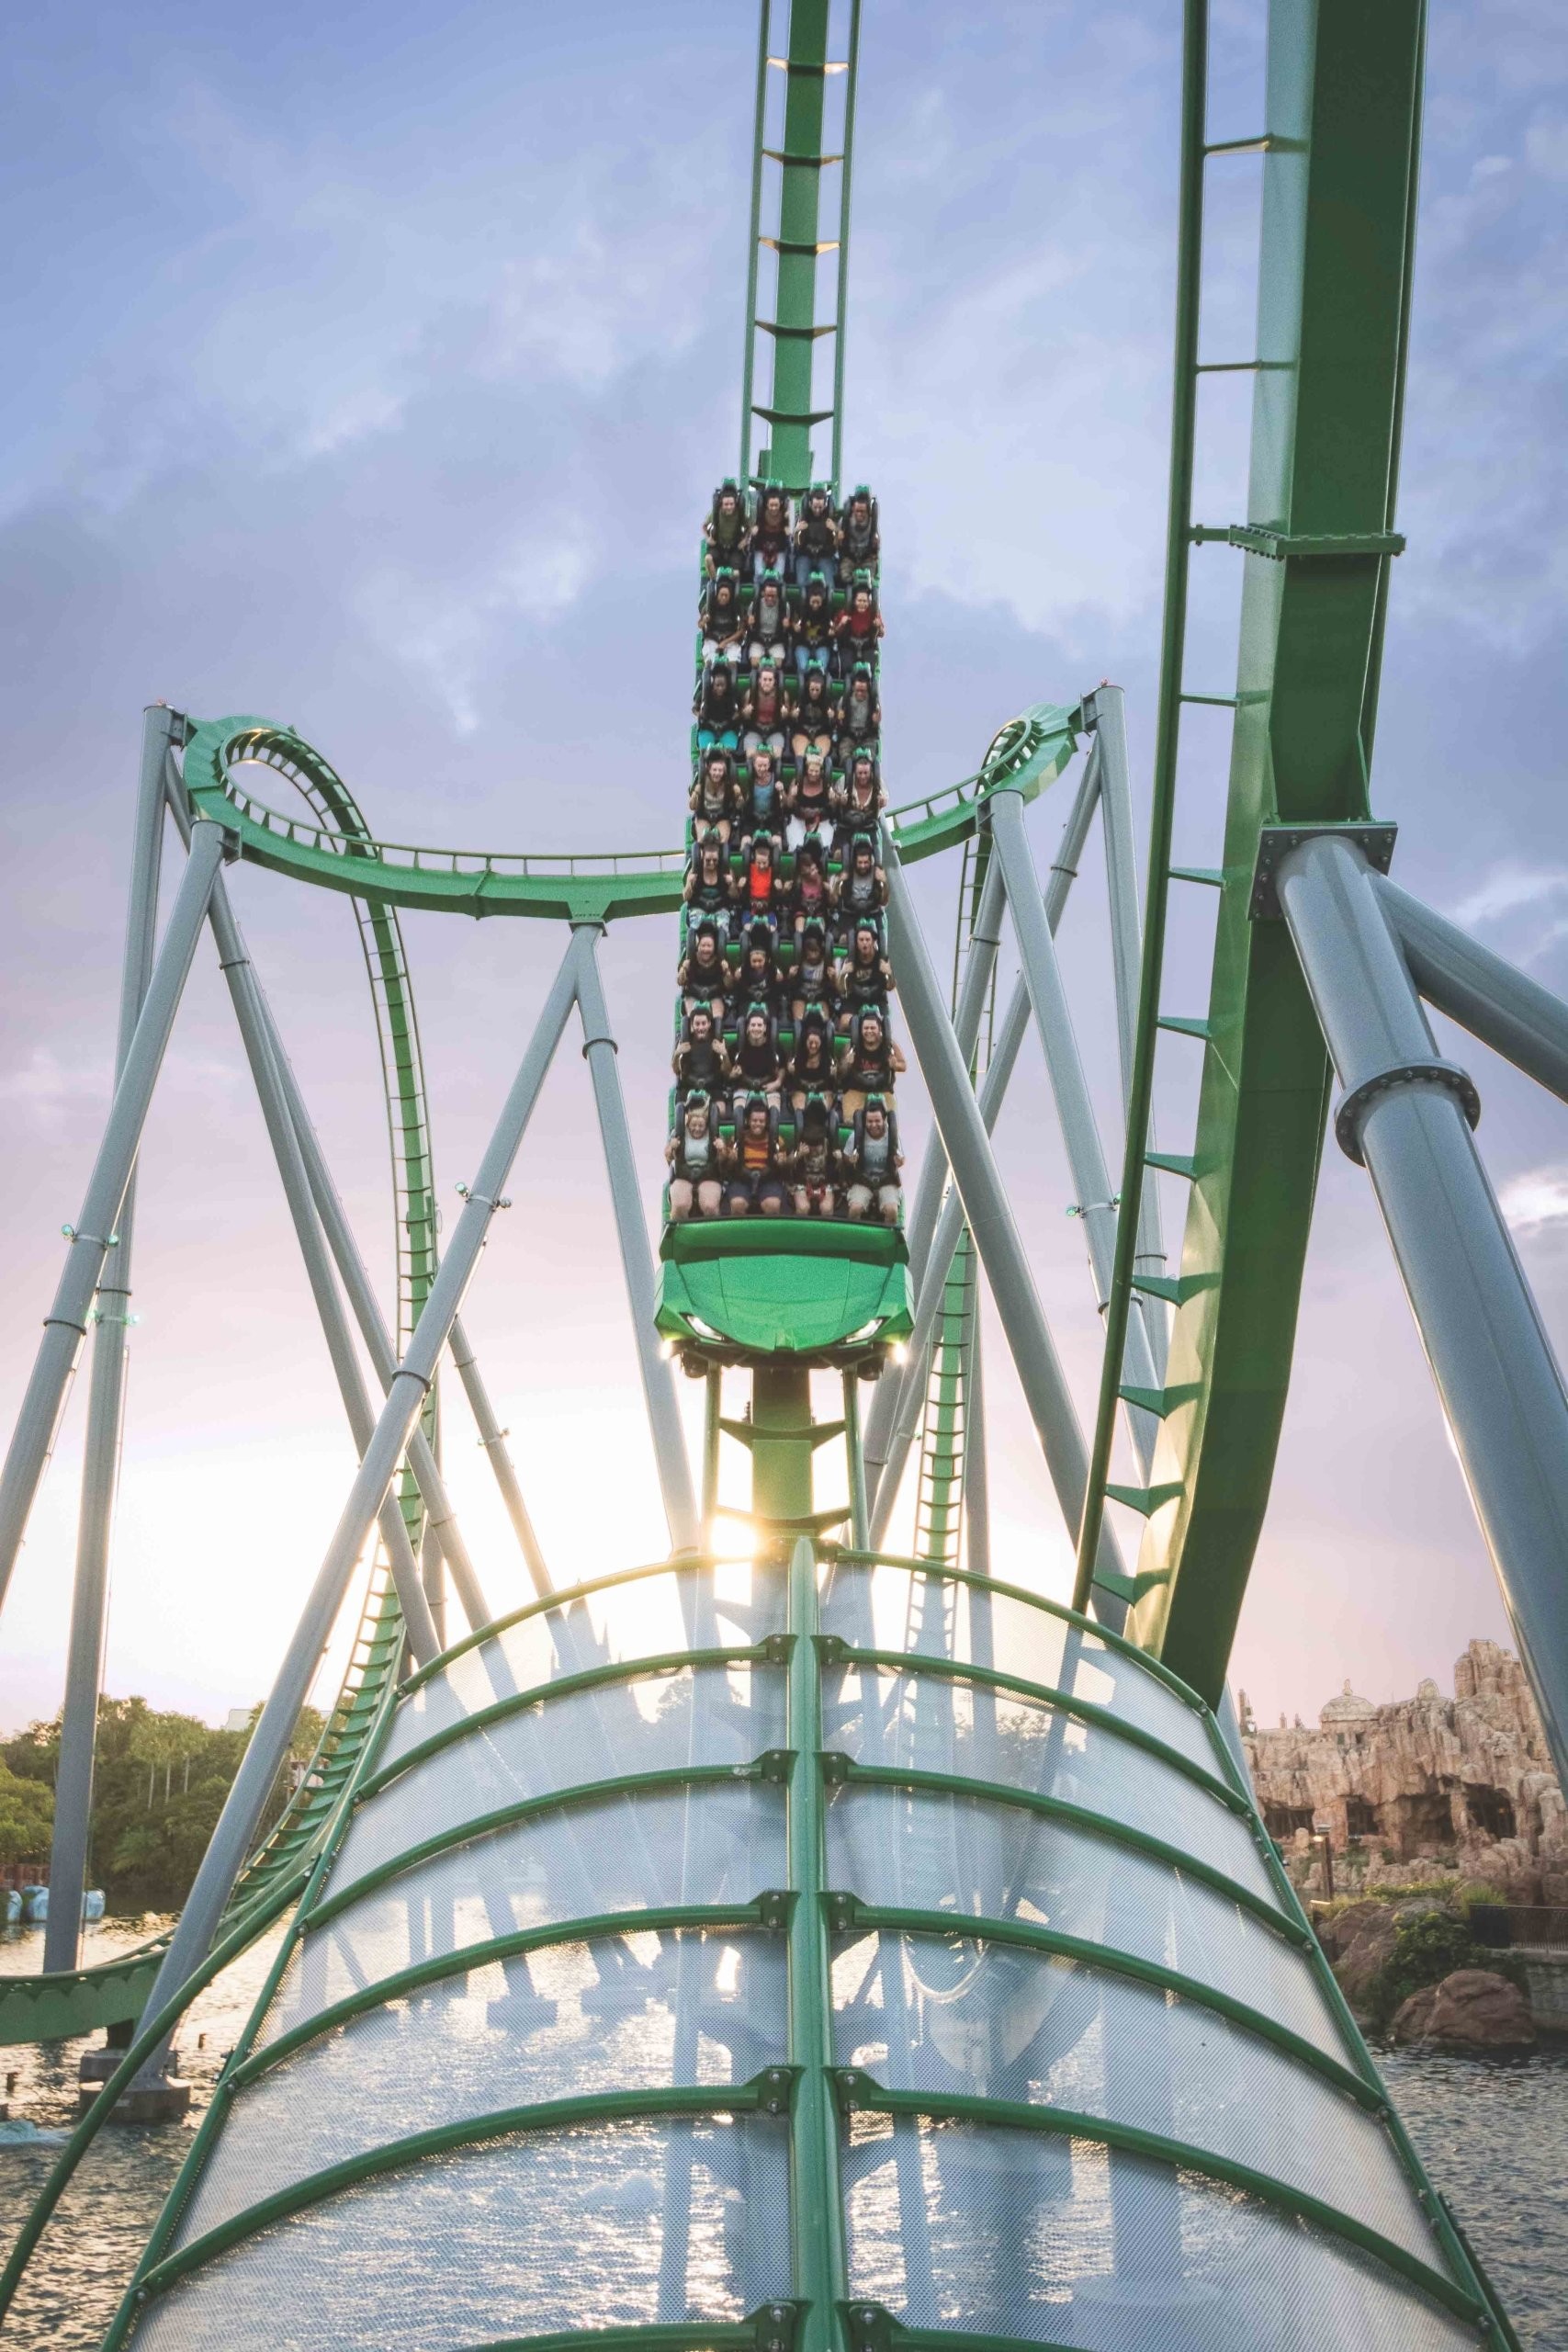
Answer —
(789, 1944)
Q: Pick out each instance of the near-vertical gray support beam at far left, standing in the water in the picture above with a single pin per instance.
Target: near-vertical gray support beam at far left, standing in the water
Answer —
(105, 1405)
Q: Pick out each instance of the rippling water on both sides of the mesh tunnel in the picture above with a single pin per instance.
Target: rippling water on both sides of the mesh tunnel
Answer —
(1494, 2134)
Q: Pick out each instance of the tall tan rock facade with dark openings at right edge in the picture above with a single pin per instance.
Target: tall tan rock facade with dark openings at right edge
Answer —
(1421, 1786)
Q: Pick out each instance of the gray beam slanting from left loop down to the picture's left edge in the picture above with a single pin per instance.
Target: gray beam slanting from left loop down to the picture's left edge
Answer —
(95, 1224)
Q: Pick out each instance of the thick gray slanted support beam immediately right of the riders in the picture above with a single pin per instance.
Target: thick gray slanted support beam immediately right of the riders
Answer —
(991, 1222)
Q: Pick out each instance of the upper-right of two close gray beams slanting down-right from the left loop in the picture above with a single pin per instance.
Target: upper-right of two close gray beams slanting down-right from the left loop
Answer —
(262, 1038)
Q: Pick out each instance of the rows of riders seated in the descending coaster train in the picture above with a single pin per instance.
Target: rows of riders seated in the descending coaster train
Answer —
(784, 1060)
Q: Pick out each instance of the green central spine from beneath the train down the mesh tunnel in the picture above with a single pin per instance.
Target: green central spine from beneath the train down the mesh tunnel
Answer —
(782, 1497)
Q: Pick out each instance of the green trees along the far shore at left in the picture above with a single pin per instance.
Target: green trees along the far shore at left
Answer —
(159, 1789)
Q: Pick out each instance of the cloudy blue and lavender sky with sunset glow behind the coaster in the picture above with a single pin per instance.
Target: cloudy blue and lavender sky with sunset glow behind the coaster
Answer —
(370, 370)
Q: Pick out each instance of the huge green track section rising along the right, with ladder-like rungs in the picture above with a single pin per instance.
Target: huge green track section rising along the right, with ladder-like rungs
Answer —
(1339, 203)
